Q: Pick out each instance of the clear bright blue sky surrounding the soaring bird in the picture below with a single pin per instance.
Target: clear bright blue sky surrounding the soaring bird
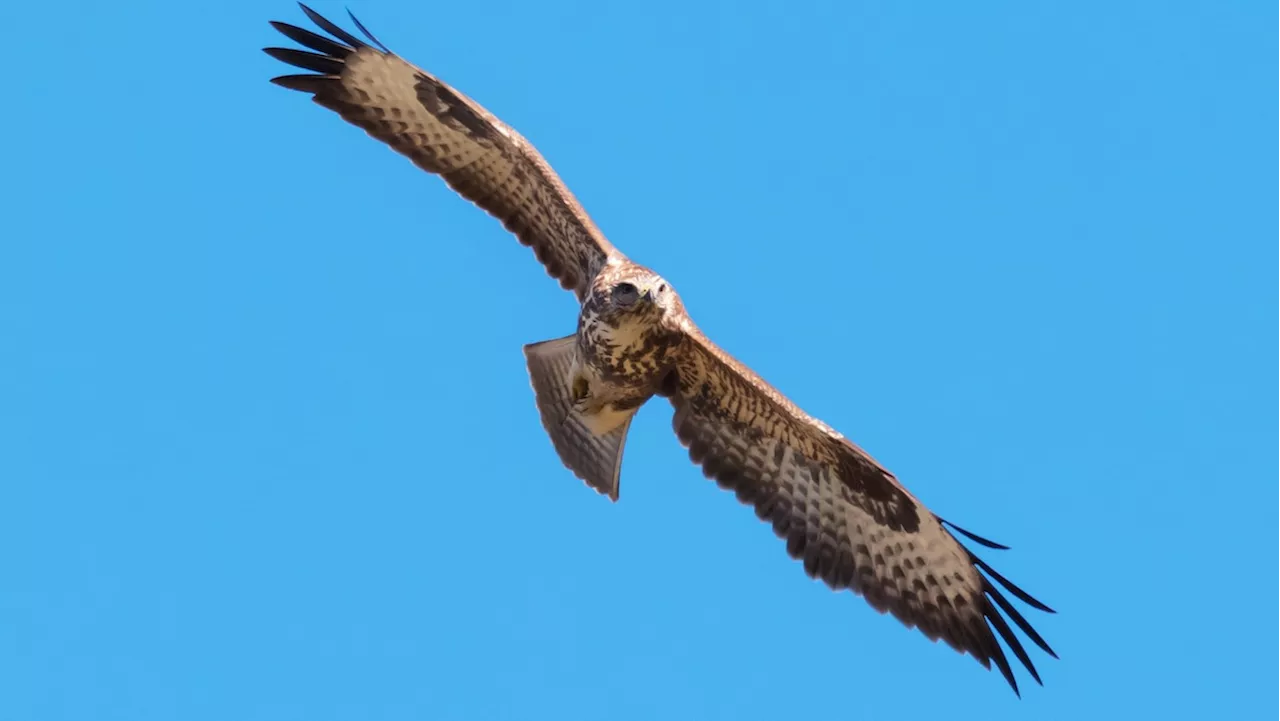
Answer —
(260, 463)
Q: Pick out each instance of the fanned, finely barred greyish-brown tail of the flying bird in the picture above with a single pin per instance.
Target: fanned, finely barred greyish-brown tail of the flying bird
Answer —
(595, 459)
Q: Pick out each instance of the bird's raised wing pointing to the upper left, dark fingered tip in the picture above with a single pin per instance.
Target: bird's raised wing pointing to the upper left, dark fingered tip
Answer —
(450, 135)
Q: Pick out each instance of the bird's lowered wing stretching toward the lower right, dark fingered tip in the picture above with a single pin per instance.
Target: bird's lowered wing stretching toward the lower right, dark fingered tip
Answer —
(852, 523)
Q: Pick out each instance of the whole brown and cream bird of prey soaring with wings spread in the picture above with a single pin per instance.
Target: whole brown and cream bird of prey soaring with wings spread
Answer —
(844, 515)
